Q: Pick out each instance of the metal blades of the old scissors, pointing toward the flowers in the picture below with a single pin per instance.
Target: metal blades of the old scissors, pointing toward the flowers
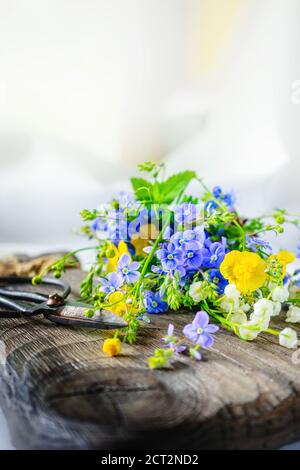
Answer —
(73, 313)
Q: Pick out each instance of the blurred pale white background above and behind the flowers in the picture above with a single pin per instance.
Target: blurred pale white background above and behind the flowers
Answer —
(88, 88)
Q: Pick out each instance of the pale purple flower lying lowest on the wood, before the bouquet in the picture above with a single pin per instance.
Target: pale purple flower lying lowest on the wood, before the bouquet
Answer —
(200, 330)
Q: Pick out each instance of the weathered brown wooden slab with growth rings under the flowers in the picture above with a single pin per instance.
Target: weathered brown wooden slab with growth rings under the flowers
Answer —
(59, 391)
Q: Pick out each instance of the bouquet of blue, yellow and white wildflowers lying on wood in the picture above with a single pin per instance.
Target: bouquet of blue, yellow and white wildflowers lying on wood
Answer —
(159, 248)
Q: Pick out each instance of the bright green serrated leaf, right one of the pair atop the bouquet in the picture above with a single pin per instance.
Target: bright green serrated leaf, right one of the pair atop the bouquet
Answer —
(174, 186)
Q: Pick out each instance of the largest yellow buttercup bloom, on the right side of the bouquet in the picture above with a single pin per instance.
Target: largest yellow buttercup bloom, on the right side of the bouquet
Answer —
(244, 269)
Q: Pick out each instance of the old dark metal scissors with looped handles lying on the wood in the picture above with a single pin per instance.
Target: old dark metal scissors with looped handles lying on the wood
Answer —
(55, 306)
